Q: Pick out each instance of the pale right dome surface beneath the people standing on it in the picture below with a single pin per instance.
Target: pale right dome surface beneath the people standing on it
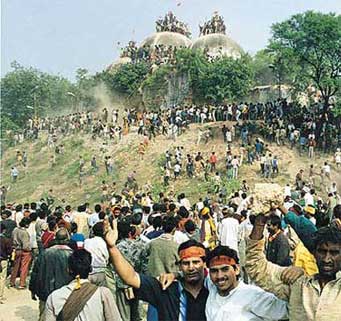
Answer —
(217, 45)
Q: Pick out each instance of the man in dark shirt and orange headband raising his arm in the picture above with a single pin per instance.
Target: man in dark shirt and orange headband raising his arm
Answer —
(185, 300)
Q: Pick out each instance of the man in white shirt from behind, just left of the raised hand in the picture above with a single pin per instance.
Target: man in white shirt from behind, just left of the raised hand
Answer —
(100, 255)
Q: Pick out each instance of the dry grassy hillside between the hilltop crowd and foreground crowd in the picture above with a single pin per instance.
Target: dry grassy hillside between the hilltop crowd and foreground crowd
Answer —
(63, 178)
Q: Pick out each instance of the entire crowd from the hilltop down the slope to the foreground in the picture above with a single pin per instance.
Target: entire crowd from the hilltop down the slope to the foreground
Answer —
(211, 260)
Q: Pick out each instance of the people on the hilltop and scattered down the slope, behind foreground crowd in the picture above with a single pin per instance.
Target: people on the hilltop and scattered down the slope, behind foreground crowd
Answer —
(310, 131)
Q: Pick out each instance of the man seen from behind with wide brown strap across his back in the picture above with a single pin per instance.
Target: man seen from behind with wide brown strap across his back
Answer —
(81, 300)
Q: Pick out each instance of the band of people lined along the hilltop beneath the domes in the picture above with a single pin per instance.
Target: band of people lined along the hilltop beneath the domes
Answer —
(307, 128)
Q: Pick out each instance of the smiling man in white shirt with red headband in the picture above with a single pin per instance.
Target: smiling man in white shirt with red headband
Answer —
(231, 299)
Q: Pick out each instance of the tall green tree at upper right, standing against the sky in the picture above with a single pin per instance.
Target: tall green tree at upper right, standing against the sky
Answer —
(312, 42)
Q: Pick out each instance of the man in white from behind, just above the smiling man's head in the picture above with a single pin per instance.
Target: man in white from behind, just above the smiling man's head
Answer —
(228, 230)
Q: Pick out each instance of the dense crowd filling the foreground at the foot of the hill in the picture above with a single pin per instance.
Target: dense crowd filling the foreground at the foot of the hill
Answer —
(201, 261)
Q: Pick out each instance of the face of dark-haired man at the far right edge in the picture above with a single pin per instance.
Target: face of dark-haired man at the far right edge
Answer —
(328, 259)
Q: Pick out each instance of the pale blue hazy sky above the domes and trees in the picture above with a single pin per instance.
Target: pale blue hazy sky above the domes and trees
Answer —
(59, 36)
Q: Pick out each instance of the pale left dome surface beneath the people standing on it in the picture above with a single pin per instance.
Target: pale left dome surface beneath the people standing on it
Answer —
(166, 38)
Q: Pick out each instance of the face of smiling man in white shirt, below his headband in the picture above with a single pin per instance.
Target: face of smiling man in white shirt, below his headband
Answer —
(224, 277)
